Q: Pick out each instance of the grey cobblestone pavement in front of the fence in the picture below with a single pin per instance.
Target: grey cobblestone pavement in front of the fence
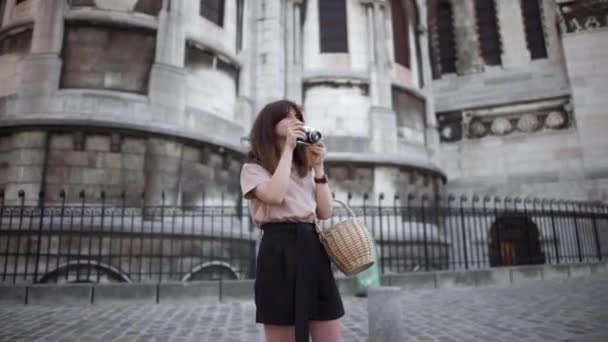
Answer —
(540, 311)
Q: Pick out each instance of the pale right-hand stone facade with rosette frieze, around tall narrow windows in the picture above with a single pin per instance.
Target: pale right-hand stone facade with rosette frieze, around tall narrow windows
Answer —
(518, 128)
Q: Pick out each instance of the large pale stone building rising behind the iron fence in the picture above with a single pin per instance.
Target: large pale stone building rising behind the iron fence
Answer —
(156, 97)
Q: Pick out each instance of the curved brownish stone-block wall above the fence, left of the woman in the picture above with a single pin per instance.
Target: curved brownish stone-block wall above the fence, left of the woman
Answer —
(117, 162)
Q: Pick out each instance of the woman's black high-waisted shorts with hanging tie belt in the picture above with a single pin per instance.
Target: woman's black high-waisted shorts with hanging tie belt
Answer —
(294, 281)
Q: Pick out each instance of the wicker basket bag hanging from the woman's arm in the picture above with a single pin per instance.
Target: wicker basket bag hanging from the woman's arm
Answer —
(348, 244)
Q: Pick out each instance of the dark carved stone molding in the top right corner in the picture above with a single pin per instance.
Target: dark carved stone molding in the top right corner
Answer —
(582, 15)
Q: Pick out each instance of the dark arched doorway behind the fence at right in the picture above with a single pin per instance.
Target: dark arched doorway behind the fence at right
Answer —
(514, 240)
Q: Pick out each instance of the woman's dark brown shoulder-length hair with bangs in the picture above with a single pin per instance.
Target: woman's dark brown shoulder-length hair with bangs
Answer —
(263, 140)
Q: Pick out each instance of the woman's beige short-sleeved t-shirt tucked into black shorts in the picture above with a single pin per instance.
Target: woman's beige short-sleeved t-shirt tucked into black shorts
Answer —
(299, 205)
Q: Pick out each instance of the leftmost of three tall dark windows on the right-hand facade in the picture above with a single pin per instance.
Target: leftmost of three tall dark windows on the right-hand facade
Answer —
(445, 36)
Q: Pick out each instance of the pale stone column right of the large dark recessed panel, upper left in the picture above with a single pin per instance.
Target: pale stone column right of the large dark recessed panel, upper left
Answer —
(167, 76)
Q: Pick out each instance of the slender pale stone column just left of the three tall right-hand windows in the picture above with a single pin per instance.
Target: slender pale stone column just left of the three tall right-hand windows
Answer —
(431, 133)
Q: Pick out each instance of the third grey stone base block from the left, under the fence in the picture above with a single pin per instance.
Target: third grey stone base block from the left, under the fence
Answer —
(112, 293)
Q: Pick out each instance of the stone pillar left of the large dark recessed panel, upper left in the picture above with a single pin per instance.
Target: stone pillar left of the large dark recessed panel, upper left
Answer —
(42, 67)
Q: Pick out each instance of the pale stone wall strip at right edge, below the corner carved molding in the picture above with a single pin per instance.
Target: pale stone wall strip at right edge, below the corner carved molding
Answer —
(585, 40)
